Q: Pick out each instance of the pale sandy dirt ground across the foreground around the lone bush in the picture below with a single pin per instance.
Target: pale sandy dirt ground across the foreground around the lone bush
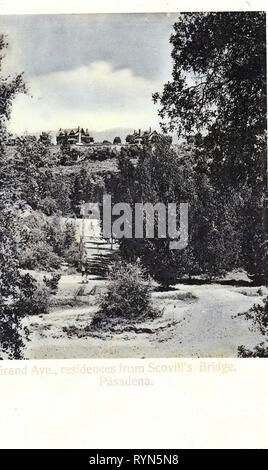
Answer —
(190, 327)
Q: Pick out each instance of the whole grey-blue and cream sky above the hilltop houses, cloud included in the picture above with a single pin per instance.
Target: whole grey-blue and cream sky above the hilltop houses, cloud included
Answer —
(97, 71)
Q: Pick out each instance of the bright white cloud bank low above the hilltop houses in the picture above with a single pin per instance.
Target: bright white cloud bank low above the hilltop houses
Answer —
(96, 96)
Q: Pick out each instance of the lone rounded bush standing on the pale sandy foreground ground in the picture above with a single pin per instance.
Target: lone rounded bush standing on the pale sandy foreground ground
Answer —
(127, 297)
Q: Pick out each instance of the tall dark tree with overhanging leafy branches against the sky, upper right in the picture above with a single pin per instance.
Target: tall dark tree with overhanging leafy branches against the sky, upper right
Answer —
(218, 89)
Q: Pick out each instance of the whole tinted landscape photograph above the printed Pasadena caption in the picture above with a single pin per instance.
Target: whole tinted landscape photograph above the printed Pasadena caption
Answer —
(133, 185)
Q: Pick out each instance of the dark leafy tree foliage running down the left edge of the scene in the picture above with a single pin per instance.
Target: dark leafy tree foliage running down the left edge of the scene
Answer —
(19, 293)
